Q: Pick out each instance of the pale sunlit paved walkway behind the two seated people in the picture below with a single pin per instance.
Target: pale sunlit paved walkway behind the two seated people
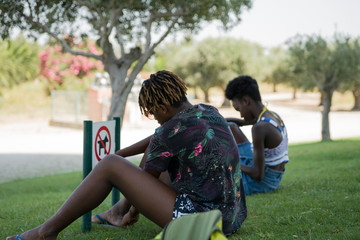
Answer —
(33, 148)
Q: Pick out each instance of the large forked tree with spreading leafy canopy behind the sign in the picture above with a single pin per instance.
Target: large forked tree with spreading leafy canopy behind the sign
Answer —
(138, 27)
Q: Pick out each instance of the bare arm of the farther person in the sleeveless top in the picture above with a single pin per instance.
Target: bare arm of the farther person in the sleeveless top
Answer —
(258, 170)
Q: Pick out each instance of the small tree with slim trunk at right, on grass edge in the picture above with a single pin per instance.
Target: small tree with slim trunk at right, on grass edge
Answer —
(324, 64)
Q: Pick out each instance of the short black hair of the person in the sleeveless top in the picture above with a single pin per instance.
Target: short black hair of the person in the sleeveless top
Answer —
(241, 86)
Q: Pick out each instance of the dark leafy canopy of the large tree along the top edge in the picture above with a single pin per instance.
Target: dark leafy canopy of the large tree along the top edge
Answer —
(133, 16)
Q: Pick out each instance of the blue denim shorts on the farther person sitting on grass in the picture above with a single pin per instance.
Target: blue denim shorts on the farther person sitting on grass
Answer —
(271, 180)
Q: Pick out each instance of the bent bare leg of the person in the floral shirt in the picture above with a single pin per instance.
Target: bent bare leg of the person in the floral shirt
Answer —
(150, 196)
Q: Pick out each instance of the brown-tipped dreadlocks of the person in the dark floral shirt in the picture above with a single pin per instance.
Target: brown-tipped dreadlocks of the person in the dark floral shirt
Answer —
(163, 87)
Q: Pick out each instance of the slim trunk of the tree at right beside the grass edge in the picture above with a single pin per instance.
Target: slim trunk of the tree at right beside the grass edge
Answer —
(327, 98)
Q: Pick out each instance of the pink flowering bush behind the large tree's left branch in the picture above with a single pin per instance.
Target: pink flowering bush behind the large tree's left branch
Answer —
(61, 68)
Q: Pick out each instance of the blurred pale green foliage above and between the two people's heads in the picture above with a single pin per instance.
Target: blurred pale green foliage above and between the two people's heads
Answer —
(254, 59)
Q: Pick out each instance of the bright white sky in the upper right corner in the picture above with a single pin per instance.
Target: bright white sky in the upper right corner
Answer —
(271, 22)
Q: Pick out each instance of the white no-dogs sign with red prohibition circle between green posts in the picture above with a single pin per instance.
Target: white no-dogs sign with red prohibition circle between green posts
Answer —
(103, 140)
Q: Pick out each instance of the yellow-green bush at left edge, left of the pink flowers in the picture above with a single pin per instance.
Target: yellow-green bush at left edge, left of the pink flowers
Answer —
(19, 62)
